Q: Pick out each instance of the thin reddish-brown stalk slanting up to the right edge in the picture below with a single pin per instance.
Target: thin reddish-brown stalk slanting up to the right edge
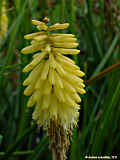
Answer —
(102, 73)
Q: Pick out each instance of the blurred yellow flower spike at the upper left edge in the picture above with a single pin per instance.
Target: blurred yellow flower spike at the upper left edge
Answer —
(3, 21)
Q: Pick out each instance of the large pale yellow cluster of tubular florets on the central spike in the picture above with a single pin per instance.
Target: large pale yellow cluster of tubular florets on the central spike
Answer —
(54, 82)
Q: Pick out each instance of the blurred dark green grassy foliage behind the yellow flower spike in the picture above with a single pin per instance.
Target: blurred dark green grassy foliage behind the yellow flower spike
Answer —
(96, 24)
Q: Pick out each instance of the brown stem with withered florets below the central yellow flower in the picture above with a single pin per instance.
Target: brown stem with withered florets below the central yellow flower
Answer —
(59, 140)
